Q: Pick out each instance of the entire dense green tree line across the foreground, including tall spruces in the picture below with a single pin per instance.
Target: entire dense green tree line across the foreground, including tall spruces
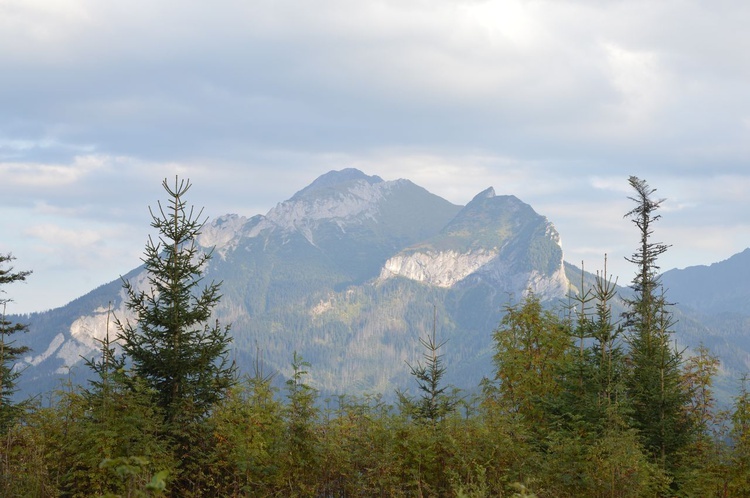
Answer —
(580, 403)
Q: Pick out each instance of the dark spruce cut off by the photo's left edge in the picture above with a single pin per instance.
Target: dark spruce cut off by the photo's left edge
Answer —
(9, 353)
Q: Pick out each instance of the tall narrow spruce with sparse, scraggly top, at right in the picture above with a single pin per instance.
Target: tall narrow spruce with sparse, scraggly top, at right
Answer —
(654, 381)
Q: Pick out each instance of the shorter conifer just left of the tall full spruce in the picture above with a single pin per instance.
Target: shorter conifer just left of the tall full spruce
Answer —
(113, 444)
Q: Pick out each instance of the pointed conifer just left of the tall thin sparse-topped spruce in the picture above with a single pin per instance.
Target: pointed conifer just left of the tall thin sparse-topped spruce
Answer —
(591, 449)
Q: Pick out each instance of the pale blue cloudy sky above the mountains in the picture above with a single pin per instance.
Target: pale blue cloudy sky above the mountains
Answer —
(556, 102)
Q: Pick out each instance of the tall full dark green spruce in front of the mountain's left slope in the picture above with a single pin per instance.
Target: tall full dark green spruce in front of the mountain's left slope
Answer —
(171, 343)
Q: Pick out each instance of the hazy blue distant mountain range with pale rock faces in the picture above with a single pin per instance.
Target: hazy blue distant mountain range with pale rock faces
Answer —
(352, 270)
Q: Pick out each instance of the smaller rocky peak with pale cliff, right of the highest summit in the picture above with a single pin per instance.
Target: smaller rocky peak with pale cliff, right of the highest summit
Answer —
(494, 239)
